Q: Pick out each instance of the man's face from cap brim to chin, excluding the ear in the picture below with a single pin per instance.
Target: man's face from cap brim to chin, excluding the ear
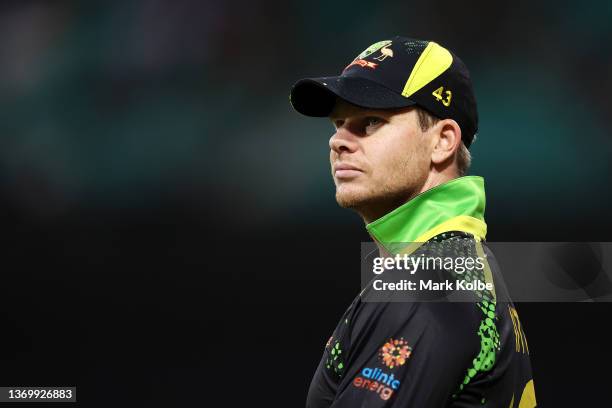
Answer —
(379, 158)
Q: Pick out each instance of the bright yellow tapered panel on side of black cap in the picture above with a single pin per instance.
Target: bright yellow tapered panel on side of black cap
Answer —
(434, 60)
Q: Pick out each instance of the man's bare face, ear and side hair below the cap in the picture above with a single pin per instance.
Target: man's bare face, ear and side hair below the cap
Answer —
(382, 158)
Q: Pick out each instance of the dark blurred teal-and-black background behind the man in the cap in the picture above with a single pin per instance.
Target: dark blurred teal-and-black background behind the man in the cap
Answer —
(170, 234)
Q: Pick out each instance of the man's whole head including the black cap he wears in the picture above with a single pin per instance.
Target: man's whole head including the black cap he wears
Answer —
(404, 113)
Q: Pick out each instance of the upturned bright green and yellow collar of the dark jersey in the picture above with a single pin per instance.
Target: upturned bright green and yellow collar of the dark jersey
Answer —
(457, 205)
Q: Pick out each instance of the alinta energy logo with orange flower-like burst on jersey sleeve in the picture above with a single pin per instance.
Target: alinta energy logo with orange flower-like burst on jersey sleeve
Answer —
(393, 353)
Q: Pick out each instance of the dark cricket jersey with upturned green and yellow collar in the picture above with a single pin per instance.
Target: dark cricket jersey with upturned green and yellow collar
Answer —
(436, 353)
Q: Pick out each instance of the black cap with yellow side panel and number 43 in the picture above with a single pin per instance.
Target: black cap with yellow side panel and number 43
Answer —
(397, 73)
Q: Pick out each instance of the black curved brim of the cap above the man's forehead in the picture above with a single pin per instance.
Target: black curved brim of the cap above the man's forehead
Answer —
(317, 96)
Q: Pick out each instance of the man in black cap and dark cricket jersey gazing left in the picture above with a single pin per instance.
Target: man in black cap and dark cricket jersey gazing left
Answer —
(405, 115)
